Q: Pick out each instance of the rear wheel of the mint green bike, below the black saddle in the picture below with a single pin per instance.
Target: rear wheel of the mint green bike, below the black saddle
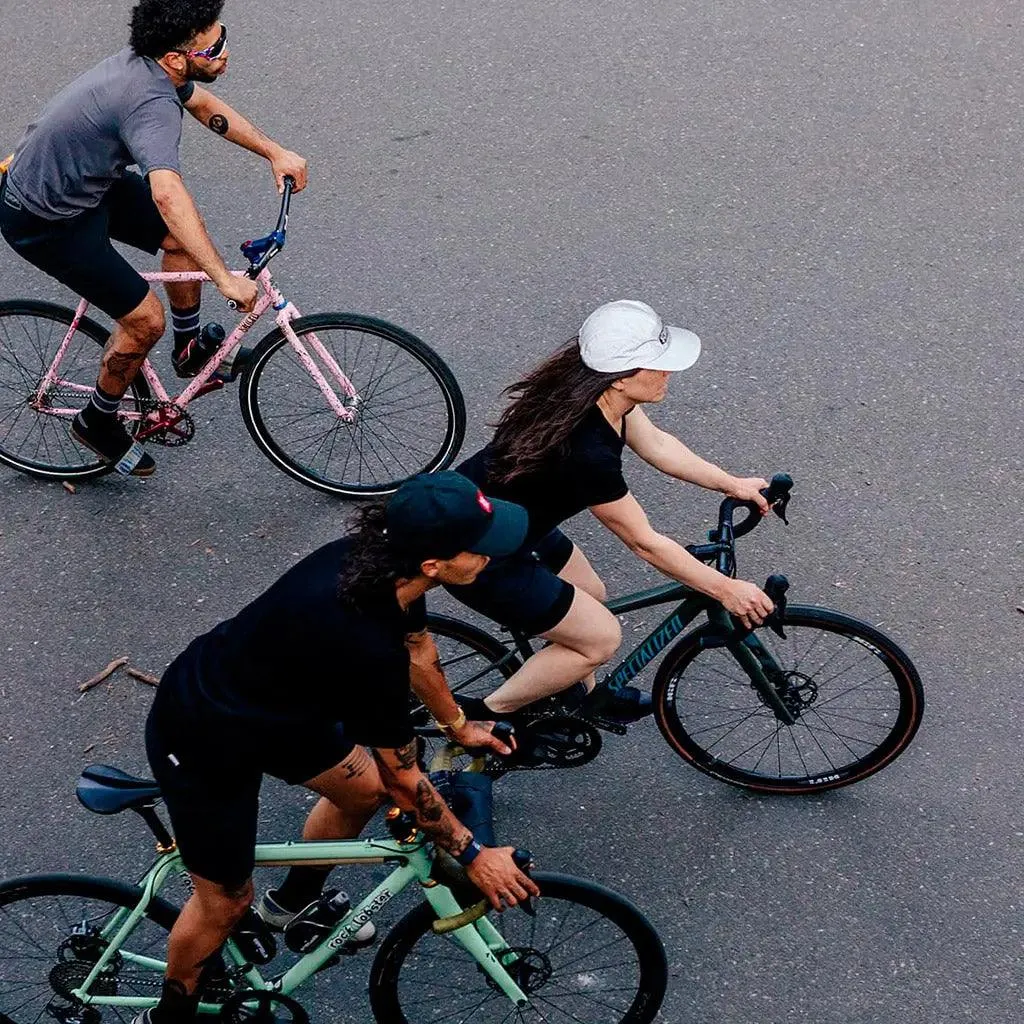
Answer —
(22, 929)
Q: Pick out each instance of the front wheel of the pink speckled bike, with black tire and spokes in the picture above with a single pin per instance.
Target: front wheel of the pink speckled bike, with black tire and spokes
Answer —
(411, 417)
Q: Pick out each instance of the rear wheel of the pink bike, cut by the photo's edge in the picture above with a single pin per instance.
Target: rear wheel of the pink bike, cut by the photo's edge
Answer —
(34, 428)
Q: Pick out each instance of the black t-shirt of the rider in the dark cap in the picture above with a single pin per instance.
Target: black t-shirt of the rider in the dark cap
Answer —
(298, 654)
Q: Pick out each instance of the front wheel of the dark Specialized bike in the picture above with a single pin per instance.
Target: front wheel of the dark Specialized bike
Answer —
(858, 699)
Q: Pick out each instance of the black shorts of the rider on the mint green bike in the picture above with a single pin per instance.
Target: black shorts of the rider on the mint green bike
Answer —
(210, 767)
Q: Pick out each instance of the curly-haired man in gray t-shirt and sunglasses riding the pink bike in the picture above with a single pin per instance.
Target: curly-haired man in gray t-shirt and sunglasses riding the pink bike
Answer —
(67, 192)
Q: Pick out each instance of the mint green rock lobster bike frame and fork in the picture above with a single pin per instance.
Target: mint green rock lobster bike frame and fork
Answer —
(482, 941)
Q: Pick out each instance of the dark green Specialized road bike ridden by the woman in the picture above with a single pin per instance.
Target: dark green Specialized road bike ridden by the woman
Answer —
(813, 700)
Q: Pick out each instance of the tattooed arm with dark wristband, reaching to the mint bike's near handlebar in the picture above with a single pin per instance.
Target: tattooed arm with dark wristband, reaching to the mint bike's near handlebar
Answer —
(493, 871)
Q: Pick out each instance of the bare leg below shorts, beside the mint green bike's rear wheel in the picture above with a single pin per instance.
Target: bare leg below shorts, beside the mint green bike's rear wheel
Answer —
(206, 920)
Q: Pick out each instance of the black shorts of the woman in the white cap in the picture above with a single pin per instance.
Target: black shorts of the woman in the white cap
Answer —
(525, 591)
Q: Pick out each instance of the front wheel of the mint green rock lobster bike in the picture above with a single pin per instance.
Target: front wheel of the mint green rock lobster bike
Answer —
(610, 909)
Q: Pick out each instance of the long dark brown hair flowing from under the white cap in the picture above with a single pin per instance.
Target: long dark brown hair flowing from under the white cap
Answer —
(546, 406)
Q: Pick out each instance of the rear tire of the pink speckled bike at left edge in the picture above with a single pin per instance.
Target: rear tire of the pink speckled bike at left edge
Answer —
(80, 463)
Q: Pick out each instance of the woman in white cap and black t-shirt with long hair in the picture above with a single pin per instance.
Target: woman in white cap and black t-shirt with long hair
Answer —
(557, 452)
